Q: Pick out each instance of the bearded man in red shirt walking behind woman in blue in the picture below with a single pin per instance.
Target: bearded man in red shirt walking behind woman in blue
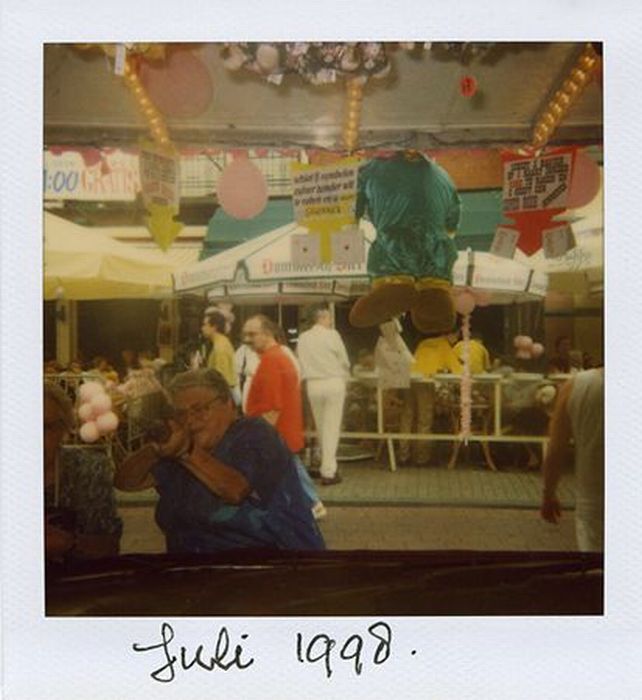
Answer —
(275, 395)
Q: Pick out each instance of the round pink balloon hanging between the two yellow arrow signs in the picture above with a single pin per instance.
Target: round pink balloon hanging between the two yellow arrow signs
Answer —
(242, 190)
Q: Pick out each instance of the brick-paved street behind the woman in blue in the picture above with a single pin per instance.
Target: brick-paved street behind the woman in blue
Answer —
(469, 507)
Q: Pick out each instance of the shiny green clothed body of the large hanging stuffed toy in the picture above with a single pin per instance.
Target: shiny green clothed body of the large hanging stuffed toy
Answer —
(412, 204)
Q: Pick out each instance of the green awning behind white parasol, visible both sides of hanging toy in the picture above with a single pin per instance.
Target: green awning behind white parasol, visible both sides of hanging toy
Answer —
(481, 214)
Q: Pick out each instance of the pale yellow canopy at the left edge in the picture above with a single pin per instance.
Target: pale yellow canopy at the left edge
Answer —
(81, 263)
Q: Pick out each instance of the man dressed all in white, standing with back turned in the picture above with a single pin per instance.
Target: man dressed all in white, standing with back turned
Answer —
(325, 368)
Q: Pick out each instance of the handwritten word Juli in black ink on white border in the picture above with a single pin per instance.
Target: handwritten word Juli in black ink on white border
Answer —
(167, 672)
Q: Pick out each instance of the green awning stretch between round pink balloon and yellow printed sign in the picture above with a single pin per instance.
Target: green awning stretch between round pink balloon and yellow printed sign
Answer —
(224, 232)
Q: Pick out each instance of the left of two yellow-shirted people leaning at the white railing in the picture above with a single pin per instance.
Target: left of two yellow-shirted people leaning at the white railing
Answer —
(432, 356)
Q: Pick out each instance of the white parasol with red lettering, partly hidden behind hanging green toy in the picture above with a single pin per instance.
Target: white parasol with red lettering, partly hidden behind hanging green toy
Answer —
(262, 268)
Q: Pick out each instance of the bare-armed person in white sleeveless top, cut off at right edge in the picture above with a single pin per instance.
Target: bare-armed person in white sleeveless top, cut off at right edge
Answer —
(579, 415)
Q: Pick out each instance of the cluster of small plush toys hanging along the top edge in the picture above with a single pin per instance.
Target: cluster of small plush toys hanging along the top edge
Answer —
(316, 62)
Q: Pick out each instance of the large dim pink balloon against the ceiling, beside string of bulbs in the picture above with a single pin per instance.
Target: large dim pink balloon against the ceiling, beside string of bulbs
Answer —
(180, 86)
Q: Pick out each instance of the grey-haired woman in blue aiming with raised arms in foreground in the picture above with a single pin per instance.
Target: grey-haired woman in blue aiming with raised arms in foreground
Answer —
(224, 482)
